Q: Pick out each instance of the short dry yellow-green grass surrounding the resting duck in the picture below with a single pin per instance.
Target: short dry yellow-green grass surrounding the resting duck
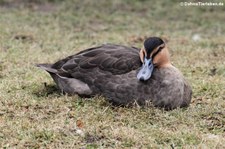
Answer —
(33, 114)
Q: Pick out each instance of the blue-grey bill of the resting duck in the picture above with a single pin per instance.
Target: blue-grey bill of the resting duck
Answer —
(146, 70)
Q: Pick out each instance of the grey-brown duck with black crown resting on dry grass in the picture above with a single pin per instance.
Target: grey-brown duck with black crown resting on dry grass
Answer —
(124, 75)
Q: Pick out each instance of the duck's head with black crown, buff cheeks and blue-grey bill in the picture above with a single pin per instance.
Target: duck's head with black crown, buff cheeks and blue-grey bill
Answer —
(153, 54)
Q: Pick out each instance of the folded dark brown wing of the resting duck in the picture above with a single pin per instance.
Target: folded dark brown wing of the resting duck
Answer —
(114, 59)
